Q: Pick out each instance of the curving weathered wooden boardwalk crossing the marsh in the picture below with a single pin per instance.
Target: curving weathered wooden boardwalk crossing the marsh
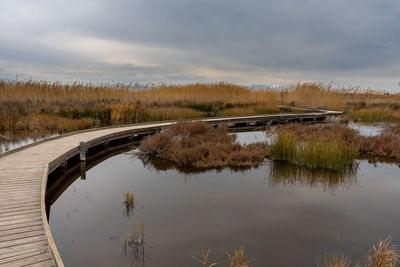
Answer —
(25, 237)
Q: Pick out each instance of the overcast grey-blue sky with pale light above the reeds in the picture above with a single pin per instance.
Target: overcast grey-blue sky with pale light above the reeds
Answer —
(243, 41)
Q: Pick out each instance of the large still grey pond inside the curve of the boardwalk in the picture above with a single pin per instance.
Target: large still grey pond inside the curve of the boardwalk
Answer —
(284, 216)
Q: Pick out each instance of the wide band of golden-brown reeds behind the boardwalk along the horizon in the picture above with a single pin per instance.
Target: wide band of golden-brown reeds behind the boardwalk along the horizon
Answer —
(44, 107)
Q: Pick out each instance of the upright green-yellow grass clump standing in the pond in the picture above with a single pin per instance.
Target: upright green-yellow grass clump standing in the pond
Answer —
(313, 152)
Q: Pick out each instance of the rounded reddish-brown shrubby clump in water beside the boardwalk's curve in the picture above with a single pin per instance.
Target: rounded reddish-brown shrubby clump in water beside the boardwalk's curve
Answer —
(199, 145)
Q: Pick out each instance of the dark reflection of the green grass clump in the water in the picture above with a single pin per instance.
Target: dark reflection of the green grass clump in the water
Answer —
(286, 174)
